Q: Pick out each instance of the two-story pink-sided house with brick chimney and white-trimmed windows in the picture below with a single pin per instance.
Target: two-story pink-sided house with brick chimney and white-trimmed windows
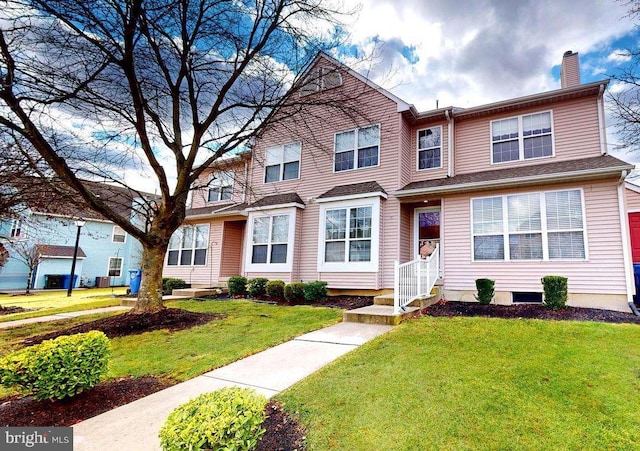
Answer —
(512, 191)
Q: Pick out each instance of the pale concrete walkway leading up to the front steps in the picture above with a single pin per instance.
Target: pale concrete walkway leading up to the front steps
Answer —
(136, 425)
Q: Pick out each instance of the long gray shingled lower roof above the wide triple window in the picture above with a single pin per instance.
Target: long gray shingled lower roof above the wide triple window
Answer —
(586, 168)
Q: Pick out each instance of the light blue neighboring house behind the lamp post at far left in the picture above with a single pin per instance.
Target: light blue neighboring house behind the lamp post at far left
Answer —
(44, 238)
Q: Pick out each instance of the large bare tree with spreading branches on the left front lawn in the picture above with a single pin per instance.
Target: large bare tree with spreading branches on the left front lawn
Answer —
(159, 87)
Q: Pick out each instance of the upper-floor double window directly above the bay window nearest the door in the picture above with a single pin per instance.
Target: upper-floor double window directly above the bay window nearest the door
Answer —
(357, 148)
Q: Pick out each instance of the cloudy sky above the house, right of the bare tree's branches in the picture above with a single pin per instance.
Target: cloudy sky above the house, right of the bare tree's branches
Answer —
(470, 52)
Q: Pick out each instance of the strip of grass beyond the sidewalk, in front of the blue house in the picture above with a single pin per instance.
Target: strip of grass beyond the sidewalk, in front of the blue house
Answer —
(44, 303)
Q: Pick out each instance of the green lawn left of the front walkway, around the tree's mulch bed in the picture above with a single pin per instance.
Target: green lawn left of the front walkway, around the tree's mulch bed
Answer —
(248, 328)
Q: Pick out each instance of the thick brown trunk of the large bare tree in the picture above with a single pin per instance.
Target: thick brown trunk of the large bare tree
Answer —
(150, 294)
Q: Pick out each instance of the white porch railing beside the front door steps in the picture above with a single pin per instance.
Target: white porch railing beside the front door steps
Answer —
(414, 279)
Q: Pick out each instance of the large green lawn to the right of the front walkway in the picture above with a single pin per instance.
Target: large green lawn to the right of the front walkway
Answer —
(477, 383)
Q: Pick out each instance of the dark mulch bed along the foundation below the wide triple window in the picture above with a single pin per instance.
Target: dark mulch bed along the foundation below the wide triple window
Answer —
(529, 311)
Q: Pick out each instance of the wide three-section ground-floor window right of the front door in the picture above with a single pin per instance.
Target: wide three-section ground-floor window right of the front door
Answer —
(531, 226)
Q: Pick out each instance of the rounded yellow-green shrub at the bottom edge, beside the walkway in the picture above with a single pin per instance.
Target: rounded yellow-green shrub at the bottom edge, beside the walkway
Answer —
(227, 419)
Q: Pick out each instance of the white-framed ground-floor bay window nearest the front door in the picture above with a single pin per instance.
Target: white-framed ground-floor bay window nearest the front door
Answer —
(349, 235)
